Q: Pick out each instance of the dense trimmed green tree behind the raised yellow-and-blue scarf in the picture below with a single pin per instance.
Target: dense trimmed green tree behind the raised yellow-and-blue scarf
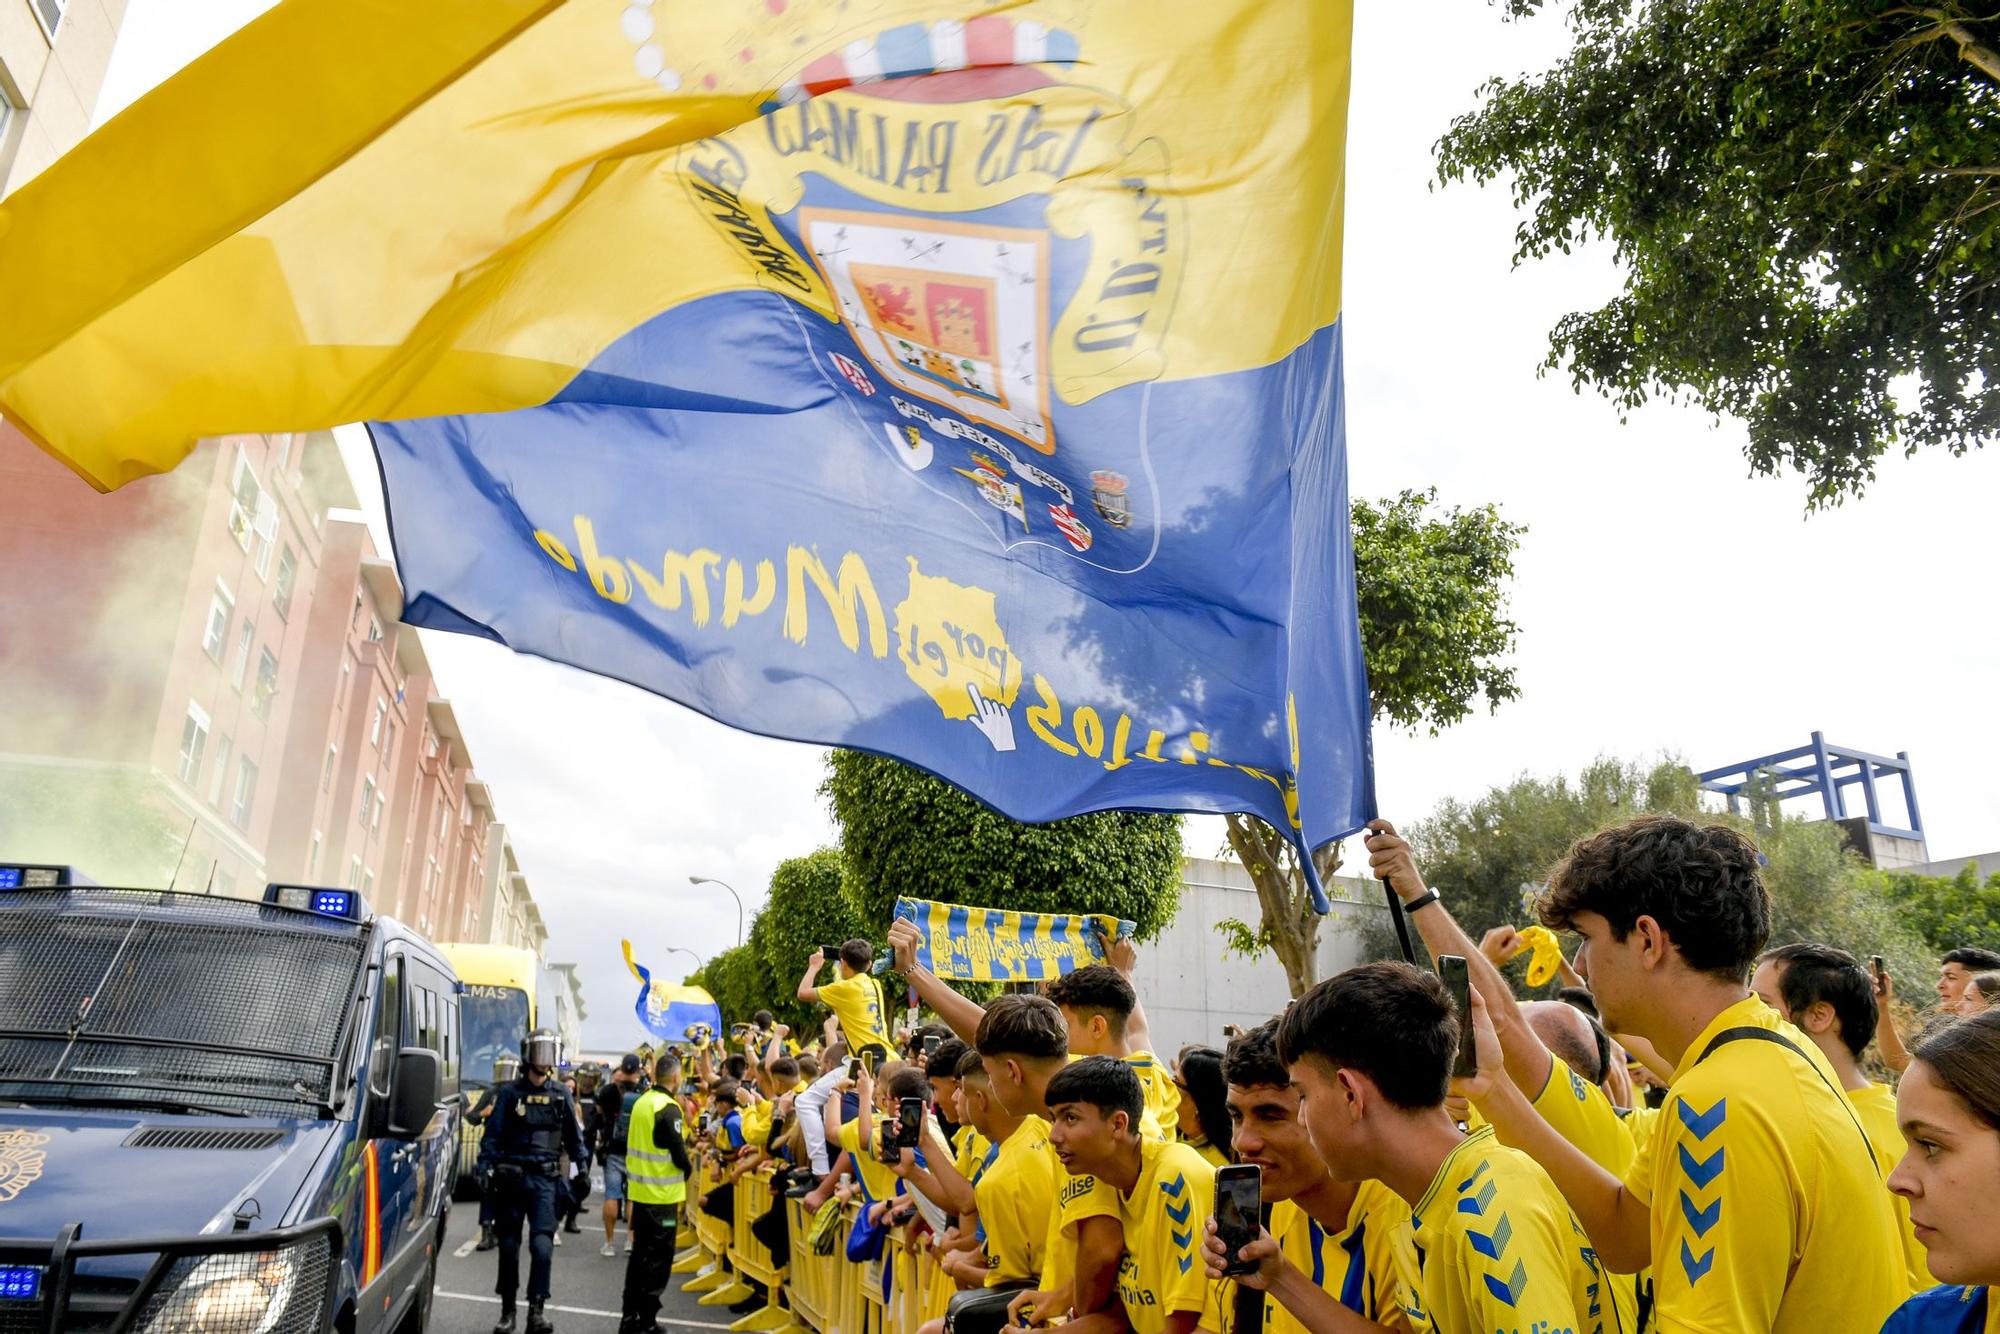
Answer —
(911, 835)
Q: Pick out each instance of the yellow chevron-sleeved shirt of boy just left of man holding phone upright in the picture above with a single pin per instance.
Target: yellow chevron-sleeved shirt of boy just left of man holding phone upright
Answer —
(1165, 1217)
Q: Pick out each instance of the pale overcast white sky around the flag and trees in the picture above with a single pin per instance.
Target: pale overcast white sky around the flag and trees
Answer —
(1669, 603)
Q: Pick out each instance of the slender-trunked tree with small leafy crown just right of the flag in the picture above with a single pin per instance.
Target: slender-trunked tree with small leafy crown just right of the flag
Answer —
(1431, 585)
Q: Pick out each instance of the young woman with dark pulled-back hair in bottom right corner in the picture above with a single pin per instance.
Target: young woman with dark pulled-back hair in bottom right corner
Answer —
(1949, 1107)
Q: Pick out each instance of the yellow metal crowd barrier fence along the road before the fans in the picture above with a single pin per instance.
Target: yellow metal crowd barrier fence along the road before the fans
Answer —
(807, 1293)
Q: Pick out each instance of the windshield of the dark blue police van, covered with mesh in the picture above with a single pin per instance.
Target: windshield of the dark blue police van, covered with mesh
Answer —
(151, 999)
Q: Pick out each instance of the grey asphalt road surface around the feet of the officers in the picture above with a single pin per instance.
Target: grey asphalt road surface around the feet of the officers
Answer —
(585, 1285)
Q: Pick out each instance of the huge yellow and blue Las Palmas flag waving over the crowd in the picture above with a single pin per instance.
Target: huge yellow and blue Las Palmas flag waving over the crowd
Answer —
(949, 379)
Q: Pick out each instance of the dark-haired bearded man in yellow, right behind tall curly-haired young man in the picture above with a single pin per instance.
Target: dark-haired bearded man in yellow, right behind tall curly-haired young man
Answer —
(1829, 997)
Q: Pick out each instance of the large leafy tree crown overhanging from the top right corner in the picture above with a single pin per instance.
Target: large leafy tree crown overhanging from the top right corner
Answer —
(1805, 201)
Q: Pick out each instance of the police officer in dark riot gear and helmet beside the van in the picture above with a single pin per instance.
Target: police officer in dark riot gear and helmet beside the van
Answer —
(531, 1129)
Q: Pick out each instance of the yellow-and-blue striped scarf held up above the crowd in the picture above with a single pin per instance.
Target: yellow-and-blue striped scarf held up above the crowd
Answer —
(999, 945)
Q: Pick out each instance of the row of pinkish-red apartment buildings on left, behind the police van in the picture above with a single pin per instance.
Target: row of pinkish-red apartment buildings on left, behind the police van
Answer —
(213, 659)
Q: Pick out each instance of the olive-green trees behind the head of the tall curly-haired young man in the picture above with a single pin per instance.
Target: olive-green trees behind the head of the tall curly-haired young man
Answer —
(1493, 855)
